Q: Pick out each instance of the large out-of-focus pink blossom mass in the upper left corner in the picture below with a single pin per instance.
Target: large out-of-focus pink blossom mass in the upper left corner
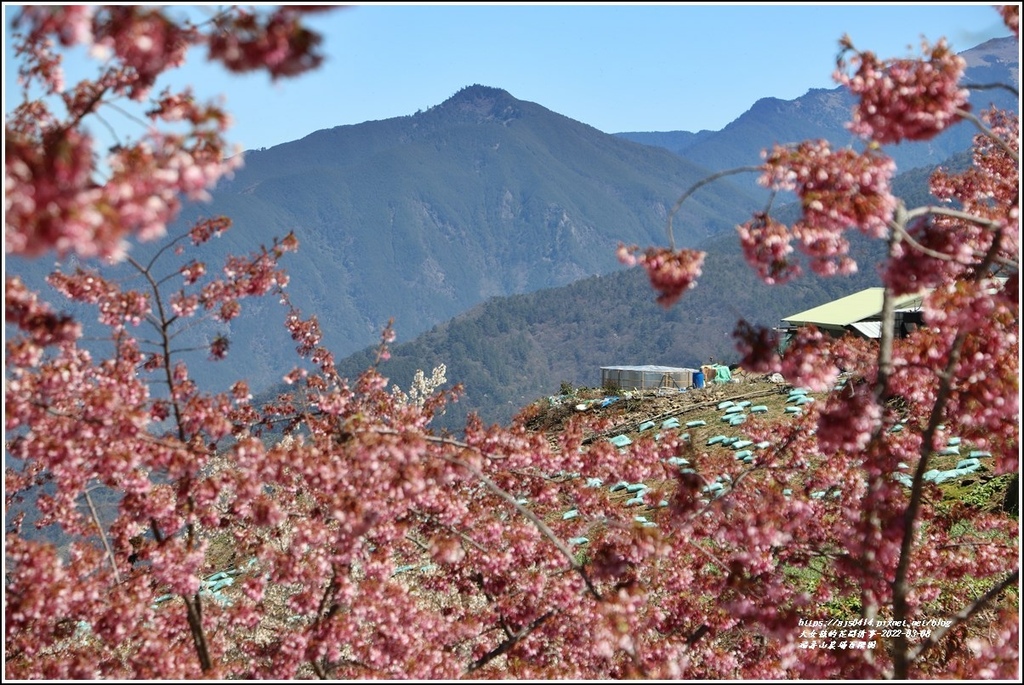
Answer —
(56, 196)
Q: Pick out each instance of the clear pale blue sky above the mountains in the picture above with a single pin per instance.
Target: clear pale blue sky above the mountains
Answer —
(656, 67)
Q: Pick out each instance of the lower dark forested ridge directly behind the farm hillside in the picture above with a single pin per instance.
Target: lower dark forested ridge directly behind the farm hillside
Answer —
(511, 351)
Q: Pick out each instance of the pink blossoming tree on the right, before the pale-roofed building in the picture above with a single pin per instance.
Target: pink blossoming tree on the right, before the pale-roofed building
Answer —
(893, 548)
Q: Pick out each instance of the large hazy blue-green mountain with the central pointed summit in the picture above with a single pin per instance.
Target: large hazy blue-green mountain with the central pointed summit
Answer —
(421, 218)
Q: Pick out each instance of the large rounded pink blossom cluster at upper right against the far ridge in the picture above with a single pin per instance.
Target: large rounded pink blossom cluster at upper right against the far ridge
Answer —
(906, 100)
